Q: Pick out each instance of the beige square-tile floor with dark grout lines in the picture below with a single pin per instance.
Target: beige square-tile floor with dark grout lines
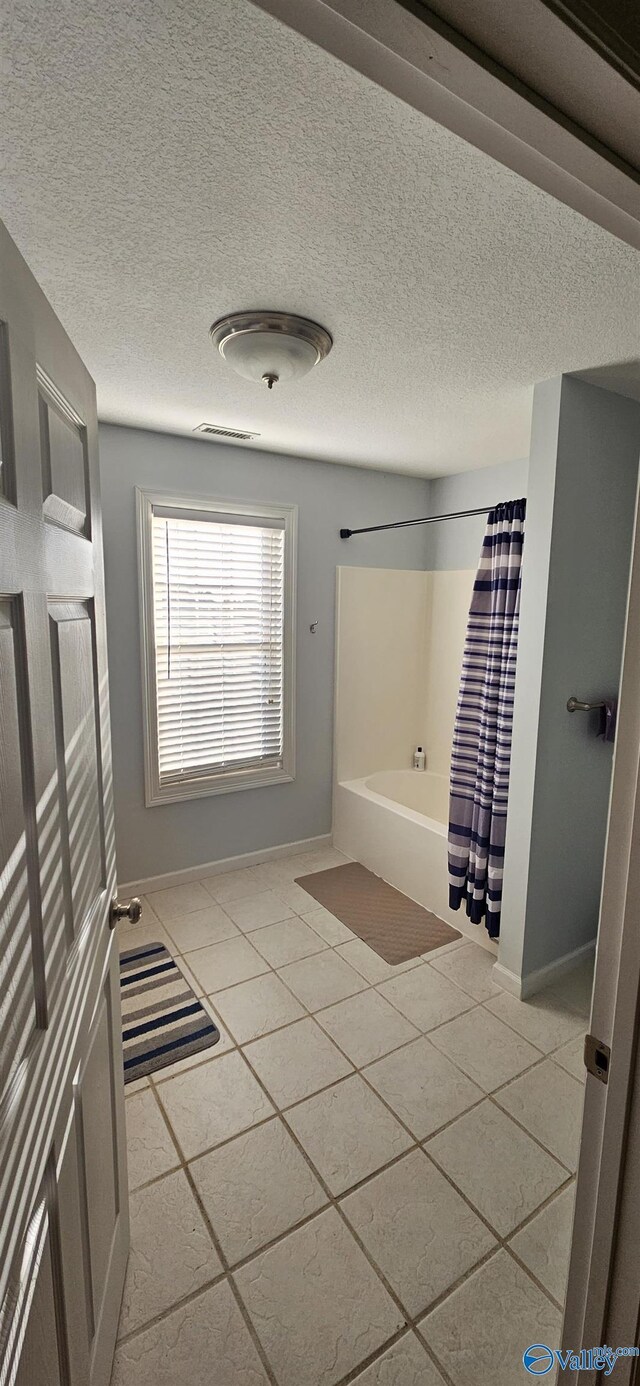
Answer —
(369, 1180)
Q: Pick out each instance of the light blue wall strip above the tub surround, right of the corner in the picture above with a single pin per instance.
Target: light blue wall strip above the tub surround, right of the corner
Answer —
(456, 544)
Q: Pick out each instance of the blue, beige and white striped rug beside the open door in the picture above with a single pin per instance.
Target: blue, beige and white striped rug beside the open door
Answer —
(163, 1021)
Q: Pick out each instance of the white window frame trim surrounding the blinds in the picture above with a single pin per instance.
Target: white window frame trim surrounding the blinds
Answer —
(217, 782)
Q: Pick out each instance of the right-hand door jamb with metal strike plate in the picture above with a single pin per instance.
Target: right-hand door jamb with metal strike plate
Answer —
(603, 1295)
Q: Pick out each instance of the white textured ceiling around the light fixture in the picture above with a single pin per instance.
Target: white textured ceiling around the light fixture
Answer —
(170, 161)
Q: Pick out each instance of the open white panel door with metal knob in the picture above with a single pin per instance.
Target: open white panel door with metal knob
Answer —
(64, 1229)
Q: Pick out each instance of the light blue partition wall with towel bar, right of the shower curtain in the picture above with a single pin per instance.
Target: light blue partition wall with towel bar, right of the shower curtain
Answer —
(581, 508)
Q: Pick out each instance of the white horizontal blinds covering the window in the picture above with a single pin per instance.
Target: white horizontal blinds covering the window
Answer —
(220, 642)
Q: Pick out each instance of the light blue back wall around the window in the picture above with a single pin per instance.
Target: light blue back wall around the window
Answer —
(175, 836)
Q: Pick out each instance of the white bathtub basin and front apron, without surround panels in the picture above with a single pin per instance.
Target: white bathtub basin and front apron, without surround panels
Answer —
(395, 823)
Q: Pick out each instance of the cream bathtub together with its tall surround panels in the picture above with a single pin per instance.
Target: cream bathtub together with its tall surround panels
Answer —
(400, 651)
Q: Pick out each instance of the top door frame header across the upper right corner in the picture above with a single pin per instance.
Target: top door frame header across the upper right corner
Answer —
(407, 49)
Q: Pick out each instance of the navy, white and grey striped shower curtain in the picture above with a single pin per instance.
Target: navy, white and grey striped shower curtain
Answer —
(484, 717)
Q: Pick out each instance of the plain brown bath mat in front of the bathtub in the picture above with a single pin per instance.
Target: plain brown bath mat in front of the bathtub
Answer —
(393, 925)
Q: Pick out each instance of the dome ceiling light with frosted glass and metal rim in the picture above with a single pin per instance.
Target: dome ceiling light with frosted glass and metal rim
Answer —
(271, 347)
